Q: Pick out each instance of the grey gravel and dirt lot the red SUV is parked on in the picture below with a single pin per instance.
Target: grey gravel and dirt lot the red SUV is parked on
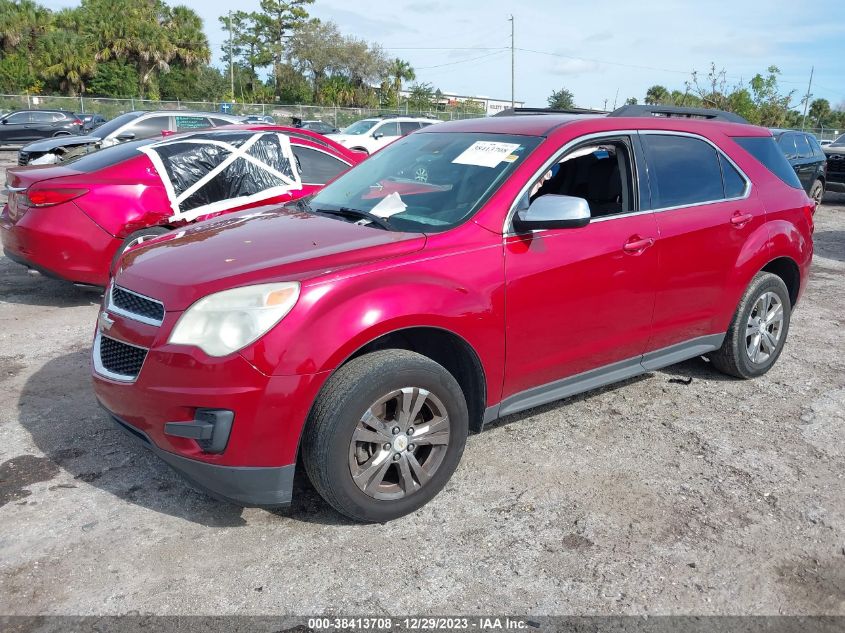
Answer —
(653, 496)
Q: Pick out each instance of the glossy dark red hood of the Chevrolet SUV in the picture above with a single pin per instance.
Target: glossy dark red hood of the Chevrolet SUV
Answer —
(255, 246)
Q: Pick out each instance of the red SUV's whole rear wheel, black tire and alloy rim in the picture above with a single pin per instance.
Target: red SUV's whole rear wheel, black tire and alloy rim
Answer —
(758, 331)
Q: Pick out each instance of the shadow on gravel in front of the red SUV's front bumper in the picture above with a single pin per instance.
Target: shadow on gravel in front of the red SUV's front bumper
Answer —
(58, 408)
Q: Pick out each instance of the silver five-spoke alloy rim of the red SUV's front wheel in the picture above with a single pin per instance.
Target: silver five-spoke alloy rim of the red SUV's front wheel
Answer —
(399, 443)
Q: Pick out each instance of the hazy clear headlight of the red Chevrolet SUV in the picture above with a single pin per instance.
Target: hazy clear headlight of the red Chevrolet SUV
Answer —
(227, 321)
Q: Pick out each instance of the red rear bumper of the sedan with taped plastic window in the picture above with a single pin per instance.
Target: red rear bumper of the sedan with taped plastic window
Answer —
(60, 241)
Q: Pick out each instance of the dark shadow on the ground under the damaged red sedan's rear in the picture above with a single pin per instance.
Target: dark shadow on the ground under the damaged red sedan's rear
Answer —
(20, 285)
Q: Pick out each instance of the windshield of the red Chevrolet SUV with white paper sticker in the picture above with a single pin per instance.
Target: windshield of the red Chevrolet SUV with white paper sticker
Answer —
(427, 182)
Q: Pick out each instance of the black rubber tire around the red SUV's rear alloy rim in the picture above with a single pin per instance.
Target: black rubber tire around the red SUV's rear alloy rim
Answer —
(733, 357)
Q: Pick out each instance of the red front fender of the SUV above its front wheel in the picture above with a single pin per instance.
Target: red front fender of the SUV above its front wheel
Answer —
(334, 319)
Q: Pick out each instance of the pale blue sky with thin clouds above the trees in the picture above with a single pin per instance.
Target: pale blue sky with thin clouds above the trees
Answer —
(592, 48)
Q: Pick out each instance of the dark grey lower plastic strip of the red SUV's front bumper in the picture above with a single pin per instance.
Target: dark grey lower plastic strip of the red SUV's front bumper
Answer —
(245, 486)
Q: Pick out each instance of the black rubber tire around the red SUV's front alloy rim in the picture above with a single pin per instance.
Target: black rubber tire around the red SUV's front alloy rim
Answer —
(336, 414)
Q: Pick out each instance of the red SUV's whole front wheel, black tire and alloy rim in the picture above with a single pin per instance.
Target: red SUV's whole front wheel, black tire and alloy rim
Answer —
(385, 435)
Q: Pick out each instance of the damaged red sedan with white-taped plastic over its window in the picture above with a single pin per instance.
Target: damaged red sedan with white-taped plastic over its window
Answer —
(70, 221)
